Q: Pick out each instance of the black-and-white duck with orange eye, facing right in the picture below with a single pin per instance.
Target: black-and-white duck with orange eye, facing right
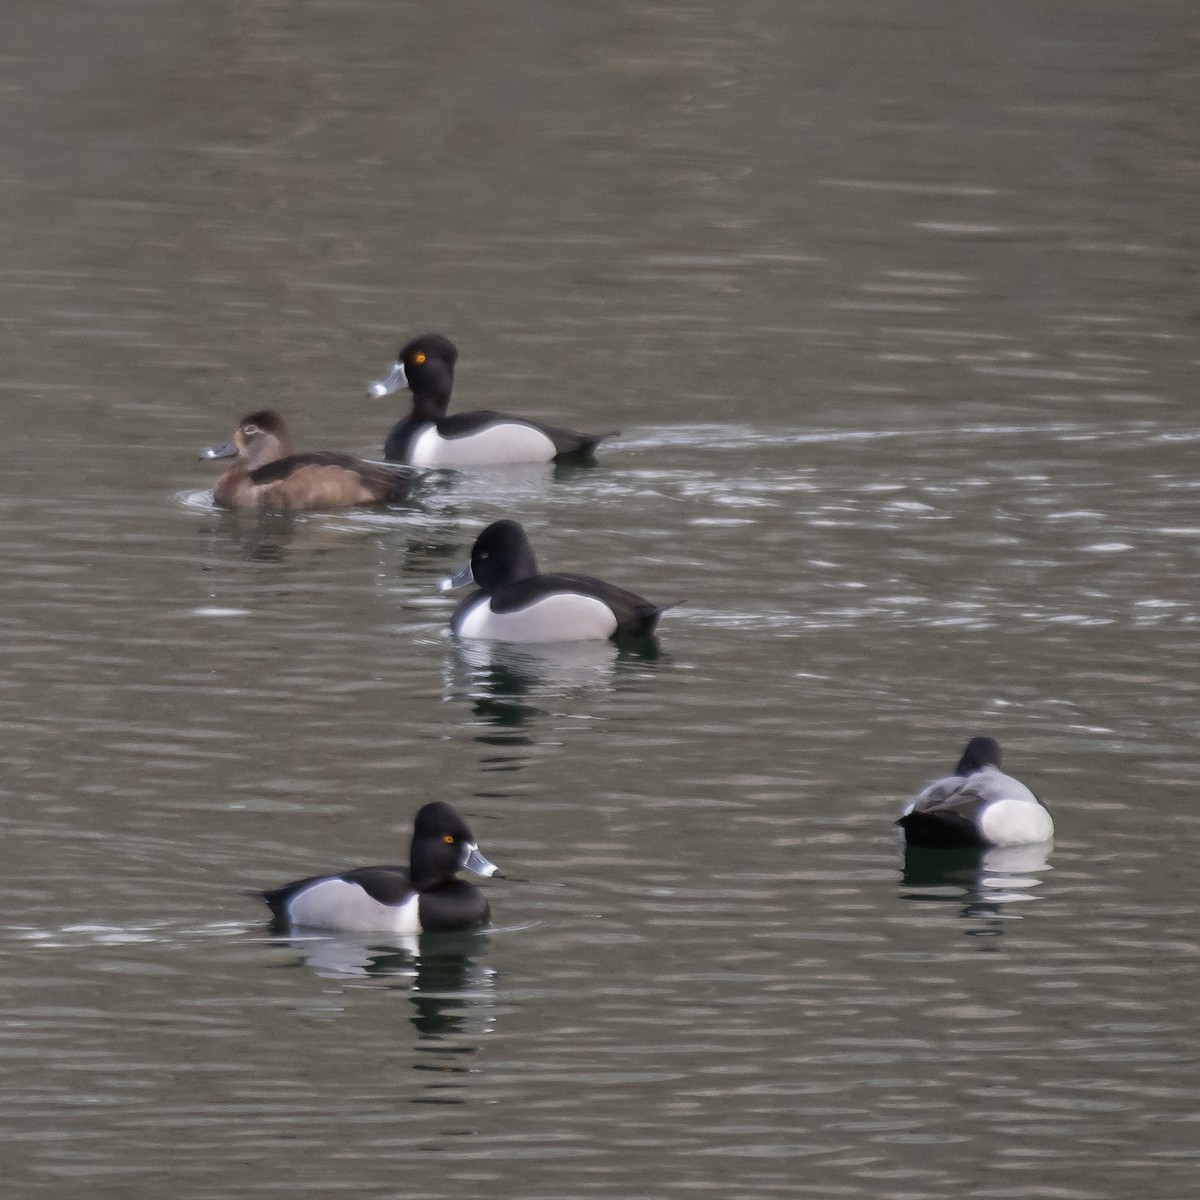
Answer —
(422, 898)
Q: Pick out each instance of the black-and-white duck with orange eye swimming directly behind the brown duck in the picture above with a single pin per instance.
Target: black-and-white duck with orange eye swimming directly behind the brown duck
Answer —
(429, 439)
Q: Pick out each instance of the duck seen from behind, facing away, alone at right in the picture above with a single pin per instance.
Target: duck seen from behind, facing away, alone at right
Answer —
(979, 806)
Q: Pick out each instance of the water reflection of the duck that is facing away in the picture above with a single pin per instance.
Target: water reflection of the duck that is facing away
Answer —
(987, 884)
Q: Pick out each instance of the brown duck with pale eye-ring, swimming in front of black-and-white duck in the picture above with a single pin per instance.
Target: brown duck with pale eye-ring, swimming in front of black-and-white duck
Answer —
(269, 475)
